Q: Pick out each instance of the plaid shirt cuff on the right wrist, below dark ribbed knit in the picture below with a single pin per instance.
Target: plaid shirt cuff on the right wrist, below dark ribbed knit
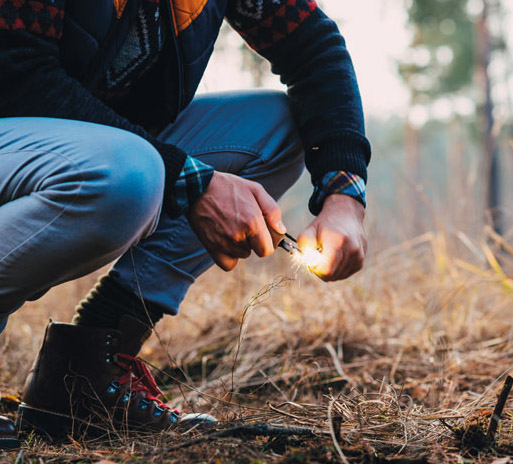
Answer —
(337, 182)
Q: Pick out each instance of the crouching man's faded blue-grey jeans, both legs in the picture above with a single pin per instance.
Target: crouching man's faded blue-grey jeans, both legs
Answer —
(74, 196)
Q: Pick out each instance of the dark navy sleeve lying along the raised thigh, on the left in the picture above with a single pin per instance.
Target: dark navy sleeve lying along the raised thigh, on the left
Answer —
(34, 83)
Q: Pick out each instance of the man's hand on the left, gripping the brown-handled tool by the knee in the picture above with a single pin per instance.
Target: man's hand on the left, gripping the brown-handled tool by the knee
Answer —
(233, 217)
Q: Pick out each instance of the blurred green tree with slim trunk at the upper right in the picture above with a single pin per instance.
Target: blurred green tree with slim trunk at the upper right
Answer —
(449, 57)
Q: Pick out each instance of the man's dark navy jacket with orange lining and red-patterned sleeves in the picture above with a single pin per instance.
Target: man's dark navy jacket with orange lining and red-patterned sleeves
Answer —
(53, 53)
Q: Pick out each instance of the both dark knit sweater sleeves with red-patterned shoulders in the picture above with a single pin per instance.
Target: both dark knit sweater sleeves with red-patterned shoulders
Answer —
(302, 44)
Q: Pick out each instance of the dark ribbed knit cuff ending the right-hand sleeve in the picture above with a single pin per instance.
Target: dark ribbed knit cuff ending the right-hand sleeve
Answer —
(345, 151)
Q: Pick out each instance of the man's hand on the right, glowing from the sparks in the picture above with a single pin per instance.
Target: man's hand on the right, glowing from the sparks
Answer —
(338, 232)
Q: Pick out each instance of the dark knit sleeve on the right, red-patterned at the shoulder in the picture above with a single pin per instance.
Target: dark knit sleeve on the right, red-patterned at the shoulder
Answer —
(307, 51)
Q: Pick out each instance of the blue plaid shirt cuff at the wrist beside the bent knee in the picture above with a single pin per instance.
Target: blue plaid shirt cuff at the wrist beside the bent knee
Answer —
(191, 184)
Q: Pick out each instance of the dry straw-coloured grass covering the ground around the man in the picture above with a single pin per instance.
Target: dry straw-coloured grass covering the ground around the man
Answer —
(370, 367)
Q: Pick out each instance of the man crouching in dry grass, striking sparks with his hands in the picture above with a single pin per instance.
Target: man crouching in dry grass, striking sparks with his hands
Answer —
(106, 154)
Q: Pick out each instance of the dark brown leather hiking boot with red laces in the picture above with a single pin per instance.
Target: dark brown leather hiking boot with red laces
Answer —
(90, 380)
